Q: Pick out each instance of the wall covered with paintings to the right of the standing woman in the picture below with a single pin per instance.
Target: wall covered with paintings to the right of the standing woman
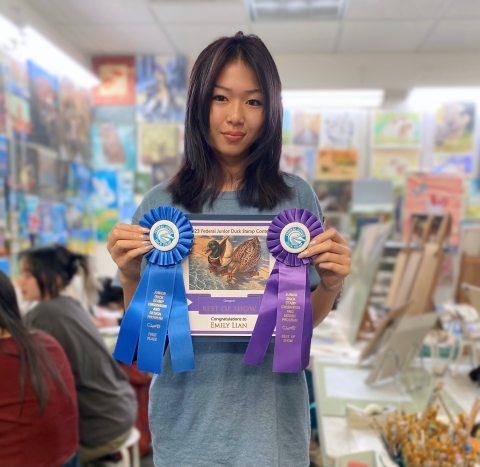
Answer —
(431, 160)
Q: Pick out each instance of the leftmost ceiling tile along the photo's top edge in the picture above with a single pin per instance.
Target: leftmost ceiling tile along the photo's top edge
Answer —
(94, 11)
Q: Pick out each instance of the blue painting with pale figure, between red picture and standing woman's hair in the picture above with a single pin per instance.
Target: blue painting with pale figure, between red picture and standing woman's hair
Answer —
(161, 88)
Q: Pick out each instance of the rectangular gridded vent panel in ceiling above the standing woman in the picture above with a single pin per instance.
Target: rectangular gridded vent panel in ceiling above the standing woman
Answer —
(296, 10)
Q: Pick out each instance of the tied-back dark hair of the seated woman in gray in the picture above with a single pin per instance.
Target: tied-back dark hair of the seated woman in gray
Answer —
(54, 266)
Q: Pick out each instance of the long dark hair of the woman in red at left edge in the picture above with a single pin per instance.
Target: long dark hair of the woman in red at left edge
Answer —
(30, 350)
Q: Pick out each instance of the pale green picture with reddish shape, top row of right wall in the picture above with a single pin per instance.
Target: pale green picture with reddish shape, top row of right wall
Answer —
(396, 129)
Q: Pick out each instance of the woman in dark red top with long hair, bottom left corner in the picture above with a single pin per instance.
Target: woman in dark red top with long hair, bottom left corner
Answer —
(38, 403)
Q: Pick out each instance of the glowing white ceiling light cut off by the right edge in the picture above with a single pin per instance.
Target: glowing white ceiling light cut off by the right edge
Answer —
(431, 98)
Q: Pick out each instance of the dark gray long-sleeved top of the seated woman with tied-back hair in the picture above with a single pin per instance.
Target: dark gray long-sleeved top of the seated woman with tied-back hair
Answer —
(107, 403)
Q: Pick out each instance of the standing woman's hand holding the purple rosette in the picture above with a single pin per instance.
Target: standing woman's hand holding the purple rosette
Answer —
(333, 260)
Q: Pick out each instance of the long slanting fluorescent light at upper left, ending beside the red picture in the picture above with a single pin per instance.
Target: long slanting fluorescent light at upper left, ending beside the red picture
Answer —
(46, 54)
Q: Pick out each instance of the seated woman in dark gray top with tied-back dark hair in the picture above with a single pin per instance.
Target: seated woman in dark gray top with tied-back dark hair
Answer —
(106, 401)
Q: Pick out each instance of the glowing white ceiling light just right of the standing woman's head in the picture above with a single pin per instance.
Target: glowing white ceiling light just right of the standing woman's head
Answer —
(315, 99)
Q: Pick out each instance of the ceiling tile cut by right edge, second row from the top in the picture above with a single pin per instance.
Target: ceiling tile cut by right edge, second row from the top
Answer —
(461, 35)
